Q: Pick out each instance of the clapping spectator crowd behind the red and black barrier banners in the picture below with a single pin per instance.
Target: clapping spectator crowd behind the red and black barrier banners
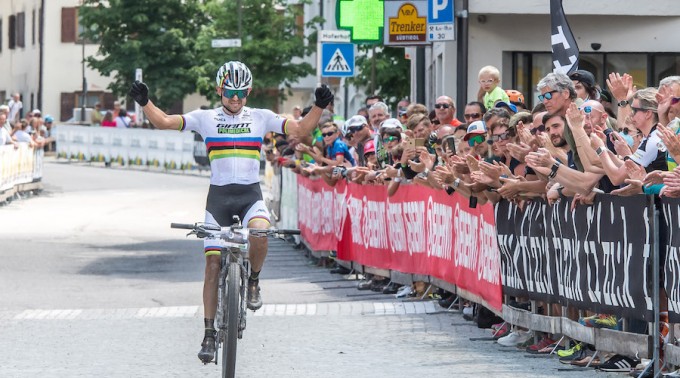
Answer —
(579, 140)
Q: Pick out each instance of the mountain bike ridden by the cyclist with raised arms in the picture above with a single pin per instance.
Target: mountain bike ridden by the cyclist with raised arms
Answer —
(231, 292)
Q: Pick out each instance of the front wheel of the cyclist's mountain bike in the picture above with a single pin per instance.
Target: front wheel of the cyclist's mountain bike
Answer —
(231, 336)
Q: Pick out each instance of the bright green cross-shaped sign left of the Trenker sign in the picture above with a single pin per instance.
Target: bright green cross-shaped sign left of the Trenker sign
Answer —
(363, 18)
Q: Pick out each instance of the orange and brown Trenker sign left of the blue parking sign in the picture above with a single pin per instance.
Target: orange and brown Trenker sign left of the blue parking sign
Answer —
(406, 23)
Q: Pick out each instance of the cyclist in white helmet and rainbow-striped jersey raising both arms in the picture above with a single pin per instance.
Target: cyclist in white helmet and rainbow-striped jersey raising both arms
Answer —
(233, 135)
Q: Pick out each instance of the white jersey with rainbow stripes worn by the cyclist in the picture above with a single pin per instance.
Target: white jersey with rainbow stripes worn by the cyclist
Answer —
(234, 141)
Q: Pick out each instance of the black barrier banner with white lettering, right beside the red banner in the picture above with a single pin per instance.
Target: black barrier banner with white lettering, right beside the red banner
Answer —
(596, 257)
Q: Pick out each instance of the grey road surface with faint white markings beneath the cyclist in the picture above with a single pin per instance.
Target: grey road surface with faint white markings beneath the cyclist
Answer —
(94, 283)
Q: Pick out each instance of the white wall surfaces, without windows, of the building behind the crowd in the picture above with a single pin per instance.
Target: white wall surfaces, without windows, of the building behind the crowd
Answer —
(497, 27)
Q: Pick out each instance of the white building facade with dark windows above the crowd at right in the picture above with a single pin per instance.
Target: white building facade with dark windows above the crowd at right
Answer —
(613, 36)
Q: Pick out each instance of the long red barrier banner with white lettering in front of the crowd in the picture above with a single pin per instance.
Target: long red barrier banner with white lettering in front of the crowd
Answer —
(418, 230)
